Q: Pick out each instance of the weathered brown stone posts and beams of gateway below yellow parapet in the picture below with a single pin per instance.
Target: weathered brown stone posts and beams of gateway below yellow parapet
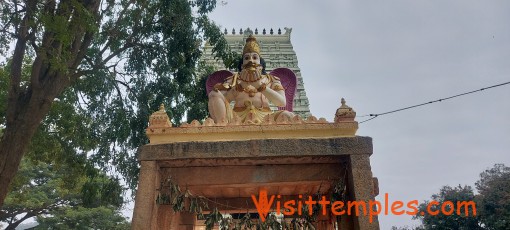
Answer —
(231, 171)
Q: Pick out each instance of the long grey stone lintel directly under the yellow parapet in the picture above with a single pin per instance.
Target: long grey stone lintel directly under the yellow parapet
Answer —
(272, 148)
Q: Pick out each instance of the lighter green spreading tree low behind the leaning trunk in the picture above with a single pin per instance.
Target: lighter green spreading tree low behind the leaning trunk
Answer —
(48, 192)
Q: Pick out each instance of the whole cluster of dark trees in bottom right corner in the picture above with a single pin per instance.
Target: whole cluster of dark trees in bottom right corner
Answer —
(492, 204)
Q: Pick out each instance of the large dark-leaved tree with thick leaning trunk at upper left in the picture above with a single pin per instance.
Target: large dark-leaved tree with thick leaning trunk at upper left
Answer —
(114, 61)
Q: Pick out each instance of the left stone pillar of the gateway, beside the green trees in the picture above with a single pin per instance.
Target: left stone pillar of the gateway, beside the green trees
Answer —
(145, 203)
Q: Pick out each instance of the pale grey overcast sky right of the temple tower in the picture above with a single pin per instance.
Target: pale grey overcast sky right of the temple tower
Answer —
(385, 55)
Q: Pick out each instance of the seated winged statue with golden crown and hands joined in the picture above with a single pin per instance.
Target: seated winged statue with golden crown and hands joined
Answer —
(252, 89)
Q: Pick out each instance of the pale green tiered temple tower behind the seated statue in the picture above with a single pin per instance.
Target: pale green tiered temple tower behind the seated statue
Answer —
(276, 49)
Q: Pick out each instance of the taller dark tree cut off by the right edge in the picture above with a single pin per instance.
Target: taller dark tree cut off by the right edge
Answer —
(494, 197)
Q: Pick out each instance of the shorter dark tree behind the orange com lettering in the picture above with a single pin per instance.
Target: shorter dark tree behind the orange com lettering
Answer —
(449, 221)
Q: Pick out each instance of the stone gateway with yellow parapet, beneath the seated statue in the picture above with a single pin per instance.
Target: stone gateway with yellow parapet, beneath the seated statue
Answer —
(219, 167)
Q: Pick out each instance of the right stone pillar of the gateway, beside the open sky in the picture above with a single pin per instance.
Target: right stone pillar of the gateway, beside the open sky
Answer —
(361, 189)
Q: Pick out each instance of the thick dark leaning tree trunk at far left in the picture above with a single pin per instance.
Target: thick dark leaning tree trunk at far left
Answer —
(26, 107)
